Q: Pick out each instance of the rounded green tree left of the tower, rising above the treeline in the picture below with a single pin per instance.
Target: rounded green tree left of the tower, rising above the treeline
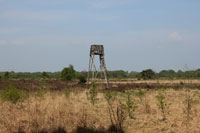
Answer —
(68, 73)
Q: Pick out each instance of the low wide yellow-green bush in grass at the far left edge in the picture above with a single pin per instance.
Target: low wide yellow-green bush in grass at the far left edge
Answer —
(12, 94)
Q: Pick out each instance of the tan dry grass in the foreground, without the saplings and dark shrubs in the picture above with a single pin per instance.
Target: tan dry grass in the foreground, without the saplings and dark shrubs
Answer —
(54, 110)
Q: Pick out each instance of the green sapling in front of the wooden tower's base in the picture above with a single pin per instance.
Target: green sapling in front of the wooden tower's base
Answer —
(92, 94)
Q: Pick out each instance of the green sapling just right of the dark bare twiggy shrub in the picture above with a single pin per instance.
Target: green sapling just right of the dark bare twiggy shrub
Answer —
(130, 105)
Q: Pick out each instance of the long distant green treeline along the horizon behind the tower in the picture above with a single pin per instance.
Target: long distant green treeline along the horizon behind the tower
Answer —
(69, 73)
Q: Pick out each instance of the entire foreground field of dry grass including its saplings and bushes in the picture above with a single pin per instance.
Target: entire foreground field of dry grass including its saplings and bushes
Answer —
(77, 110)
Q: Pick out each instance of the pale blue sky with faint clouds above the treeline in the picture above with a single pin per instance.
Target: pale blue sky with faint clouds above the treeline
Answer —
(48, 35)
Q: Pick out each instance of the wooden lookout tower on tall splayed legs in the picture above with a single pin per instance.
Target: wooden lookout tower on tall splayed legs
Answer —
(93, 71)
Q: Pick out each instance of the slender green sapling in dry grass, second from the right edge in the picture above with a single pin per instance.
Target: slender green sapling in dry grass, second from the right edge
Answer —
(161, 103)
